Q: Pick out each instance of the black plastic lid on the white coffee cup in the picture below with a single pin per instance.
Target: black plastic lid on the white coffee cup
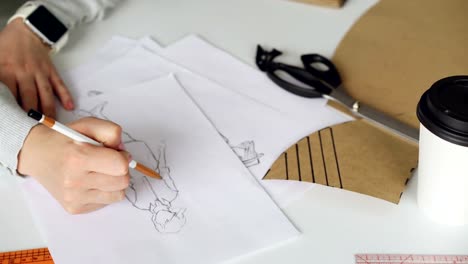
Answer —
(443, 109)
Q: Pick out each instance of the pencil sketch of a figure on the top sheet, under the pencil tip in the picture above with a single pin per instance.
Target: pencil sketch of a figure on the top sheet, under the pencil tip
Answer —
(157, 197)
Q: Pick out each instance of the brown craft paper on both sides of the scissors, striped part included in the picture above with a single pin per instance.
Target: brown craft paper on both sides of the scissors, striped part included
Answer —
(395, 52)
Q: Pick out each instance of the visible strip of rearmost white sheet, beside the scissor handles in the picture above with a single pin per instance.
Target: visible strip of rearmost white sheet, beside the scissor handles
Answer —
(205, 59)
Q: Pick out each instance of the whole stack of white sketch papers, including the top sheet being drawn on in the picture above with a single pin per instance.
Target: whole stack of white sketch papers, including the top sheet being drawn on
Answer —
(212, 127)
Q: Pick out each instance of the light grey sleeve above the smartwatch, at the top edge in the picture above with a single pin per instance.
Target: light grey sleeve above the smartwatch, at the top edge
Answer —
(74, 12)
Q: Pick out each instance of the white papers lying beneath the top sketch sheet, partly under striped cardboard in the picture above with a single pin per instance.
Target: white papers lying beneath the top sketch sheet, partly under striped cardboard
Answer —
(258, 113)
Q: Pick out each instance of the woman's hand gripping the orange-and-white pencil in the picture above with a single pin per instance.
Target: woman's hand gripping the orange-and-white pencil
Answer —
(80, 176)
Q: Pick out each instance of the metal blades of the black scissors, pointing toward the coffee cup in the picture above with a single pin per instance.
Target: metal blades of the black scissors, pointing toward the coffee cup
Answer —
(383, 120)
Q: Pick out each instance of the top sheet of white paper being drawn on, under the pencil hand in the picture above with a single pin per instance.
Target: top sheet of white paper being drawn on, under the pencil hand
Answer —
(208, 208)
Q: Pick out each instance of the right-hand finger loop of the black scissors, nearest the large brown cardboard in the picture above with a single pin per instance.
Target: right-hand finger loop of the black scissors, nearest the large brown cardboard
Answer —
(322, 68)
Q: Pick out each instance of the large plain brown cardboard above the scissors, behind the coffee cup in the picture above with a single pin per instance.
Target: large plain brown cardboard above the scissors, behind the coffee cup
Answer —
(399, 48)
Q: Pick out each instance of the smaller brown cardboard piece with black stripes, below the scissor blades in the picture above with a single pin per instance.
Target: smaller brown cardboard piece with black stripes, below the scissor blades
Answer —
(355, 156)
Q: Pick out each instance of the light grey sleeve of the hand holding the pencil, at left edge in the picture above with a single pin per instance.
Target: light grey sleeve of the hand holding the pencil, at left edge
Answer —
(14, 128)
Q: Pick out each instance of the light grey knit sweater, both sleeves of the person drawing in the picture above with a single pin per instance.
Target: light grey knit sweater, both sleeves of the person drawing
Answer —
(14, 123)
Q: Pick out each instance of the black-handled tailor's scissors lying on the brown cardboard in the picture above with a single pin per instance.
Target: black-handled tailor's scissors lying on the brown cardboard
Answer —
(320, 78)
